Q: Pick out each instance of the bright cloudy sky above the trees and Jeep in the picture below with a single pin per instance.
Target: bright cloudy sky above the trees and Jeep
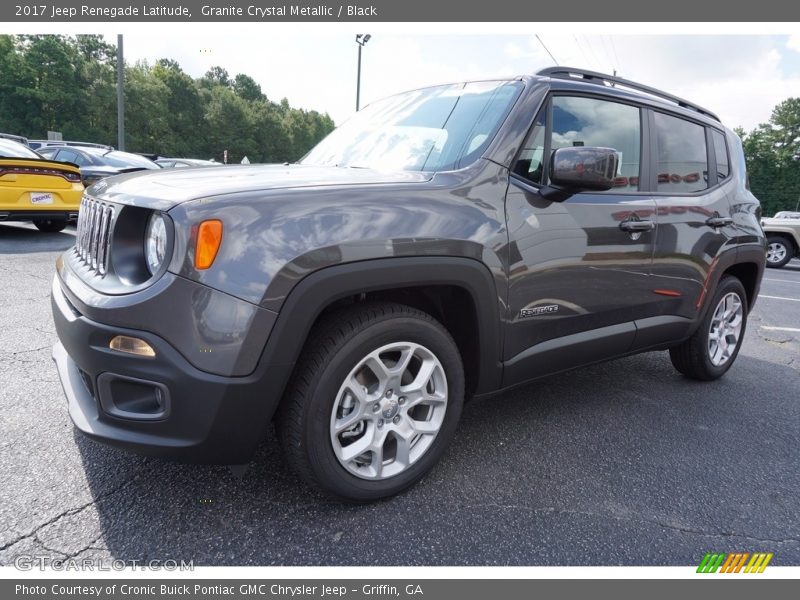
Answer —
(739, 77)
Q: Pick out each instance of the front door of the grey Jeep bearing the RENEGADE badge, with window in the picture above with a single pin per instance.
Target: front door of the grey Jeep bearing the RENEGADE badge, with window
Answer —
(579, 270)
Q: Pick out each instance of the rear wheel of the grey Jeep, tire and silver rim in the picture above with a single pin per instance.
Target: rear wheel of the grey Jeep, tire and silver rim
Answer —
(701, 356)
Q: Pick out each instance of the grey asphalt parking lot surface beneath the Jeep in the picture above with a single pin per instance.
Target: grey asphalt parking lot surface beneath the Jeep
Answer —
(625, 463)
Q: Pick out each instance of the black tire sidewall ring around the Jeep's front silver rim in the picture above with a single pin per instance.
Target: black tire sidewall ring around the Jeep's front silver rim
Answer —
(329, 473)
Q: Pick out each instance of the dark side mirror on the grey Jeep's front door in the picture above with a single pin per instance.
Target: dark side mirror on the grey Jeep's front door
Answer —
(583, 168)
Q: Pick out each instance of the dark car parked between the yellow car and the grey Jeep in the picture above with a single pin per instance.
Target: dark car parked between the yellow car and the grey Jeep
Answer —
(97, 162)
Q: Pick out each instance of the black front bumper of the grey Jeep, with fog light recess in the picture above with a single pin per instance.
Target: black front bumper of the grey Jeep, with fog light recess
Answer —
(160, 406)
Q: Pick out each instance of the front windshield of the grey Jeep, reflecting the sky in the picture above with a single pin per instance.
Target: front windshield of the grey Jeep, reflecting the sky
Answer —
(433, 129)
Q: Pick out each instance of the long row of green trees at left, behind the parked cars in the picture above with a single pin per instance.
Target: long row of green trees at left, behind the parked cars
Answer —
(68, 84)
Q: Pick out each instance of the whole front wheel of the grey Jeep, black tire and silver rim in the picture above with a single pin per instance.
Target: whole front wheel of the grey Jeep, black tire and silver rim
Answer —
(411, 433)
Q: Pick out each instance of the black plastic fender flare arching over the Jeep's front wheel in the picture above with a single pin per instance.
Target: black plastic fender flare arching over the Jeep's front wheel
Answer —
(306, 301)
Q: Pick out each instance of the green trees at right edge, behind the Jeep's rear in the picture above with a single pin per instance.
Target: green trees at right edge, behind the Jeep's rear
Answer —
(773, 158)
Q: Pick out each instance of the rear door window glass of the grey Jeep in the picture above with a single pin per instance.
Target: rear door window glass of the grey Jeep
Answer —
(682, 156)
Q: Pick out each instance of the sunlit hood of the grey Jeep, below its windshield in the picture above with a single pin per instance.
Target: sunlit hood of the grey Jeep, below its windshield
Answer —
(166, 188)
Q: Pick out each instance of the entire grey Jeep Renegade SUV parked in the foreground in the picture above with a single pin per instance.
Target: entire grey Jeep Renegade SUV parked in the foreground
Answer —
(443, 244)
